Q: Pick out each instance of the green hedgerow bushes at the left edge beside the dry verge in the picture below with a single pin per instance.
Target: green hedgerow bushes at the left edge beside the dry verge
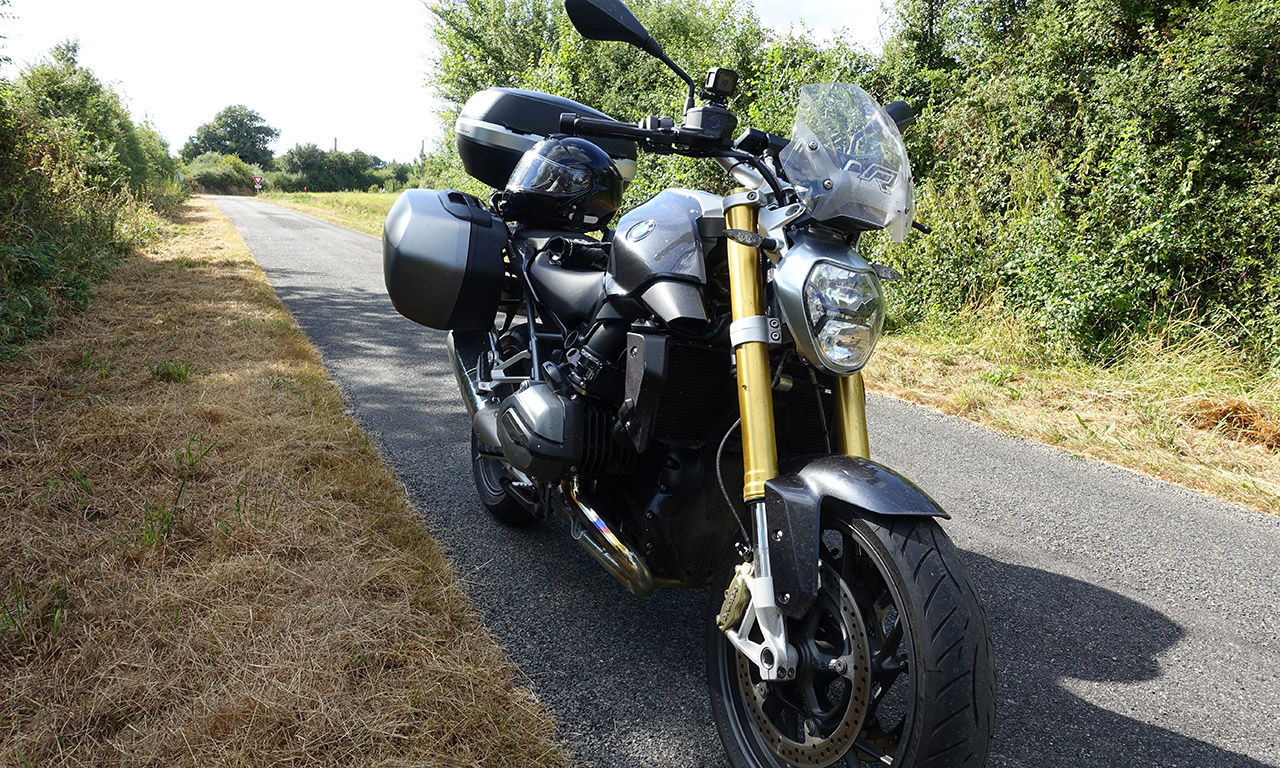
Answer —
(77, 185)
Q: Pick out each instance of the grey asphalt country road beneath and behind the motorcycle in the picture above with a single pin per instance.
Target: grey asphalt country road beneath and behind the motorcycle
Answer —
(1136, 624)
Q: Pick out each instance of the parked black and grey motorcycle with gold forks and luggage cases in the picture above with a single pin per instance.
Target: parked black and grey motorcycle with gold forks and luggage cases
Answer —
(625, 382)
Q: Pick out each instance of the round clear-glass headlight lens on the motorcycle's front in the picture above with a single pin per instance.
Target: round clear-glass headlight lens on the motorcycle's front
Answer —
(845, 310)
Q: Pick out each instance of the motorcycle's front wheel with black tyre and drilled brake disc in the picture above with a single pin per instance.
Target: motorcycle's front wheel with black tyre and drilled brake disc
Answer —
(898, 607)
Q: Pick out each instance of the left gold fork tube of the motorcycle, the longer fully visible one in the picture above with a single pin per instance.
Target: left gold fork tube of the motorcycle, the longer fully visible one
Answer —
(755, 392)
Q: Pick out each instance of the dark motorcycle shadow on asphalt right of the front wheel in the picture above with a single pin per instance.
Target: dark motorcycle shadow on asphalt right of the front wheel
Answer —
(1049, 628)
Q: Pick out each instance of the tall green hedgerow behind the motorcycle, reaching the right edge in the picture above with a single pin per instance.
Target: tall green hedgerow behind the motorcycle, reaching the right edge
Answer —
(1105, 171)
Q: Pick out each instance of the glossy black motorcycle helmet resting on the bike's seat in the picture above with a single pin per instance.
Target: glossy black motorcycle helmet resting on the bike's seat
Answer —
(564, 182)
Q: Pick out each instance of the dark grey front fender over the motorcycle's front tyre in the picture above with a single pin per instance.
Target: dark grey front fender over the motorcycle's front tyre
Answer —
(847, 486)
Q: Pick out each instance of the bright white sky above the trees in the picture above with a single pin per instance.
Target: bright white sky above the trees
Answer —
(317, 70)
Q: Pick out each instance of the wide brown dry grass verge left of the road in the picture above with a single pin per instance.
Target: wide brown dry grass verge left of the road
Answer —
(204, 563)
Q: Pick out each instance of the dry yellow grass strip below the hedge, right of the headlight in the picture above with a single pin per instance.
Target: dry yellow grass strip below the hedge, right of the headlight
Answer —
(1191, 414)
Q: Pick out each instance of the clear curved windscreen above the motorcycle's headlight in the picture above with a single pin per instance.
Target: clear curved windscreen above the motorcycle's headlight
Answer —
(848, 162)
